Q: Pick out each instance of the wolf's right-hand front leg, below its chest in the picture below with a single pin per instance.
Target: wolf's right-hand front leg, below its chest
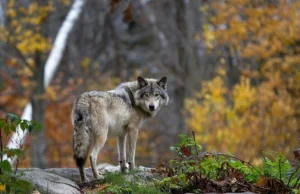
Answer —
(132, 139)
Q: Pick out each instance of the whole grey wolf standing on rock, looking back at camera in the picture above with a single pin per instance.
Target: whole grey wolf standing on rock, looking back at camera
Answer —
(97, 115)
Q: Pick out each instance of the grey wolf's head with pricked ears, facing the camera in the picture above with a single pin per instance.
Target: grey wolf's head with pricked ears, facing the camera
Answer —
(151, 94)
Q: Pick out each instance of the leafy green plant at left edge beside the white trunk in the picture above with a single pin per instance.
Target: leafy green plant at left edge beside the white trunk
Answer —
(8, 179)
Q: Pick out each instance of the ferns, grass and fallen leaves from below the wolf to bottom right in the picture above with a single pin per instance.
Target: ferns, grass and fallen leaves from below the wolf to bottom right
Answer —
(198, 171)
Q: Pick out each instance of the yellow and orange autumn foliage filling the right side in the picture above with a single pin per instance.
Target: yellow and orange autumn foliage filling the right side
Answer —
(261, 112)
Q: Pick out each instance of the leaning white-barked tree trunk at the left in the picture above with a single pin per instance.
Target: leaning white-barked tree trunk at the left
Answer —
(52, 63)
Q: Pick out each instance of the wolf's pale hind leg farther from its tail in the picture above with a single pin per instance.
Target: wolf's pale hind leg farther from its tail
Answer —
(99, 143)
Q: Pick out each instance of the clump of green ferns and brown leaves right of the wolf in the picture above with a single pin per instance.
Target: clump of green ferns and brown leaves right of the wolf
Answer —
(196, 171)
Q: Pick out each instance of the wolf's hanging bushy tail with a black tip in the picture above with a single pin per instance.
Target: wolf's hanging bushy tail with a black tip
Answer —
(81, 135)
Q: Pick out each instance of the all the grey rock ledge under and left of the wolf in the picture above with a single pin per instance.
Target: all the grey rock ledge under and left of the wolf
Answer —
(65, 180)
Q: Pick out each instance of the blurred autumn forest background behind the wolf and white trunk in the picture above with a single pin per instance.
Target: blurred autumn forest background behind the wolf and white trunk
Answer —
(233, 71)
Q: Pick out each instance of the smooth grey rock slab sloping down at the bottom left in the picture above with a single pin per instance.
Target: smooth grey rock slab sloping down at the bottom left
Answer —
(46, 182)
